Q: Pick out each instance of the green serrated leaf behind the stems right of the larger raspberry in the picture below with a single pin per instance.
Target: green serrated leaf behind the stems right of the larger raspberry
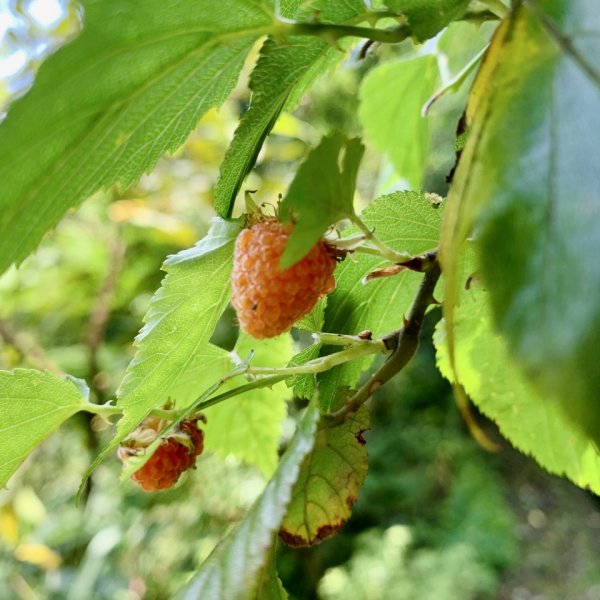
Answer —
(406, 221)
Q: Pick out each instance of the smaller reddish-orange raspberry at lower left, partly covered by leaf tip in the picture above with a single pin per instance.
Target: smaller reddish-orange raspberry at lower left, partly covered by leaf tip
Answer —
(177, 452)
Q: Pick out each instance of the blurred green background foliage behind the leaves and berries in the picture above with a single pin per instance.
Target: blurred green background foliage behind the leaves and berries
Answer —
(436, 518)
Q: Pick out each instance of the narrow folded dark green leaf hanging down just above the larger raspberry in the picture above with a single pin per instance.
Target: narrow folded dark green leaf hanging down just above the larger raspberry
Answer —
(282, 74)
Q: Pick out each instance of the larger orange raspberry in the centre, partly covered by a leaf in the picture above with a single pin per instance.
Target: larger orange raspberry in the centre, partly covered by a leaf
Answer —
(267, 299)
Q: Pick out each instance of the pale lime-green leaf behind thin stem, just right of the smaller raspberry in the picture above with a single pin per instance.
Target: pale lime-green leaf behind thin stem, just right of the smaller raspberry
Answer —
(249, 426)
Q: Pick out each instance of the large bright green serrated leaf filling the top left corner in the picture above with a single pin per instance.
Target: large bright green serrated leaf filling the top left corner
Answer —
(130, 88)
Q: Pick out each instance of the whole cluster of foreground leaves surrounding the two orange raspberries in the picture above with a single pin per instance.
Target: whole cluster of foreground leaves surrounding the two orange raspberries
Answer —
(520, 338)
